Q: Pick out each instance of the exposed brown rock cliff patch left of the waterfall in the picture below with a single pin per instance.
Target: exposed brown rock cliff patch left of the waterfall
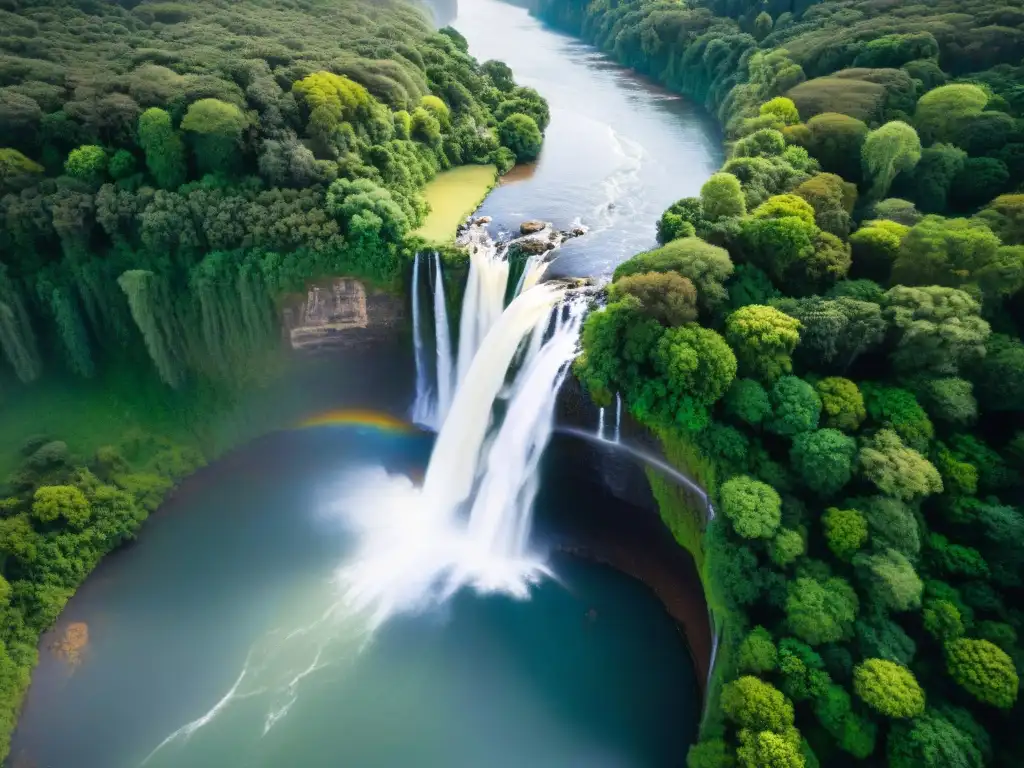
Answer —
(343, 313)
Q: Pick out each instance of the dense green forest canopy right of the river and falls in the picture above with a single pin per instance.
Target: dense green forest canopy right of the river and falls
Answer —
(830, 339)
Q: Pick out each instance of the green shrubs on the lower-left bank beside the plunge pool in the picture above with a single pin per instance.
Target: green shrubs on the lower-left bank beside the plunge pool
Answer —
(62, 515)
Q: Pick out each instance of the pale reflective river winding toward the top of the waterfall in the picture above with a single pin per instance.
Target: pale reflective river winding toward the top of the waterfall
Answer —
(620, 150)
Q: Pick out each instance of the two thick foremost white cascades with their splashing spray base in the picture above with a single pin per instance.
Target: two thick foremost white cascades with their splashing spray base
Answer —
(416, 546)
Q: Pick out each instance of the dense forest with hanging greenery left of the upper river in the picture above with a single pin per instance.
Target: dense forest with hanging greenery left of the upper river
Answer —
(167, 168)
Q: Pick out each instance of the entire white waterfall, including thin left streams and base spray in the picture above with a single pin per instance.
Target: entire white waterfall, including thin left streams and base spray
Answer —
(493, 406)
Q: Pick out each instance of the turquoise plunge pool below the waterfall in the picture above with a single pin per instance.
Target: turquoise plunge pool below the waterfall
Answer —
(235, 575)
